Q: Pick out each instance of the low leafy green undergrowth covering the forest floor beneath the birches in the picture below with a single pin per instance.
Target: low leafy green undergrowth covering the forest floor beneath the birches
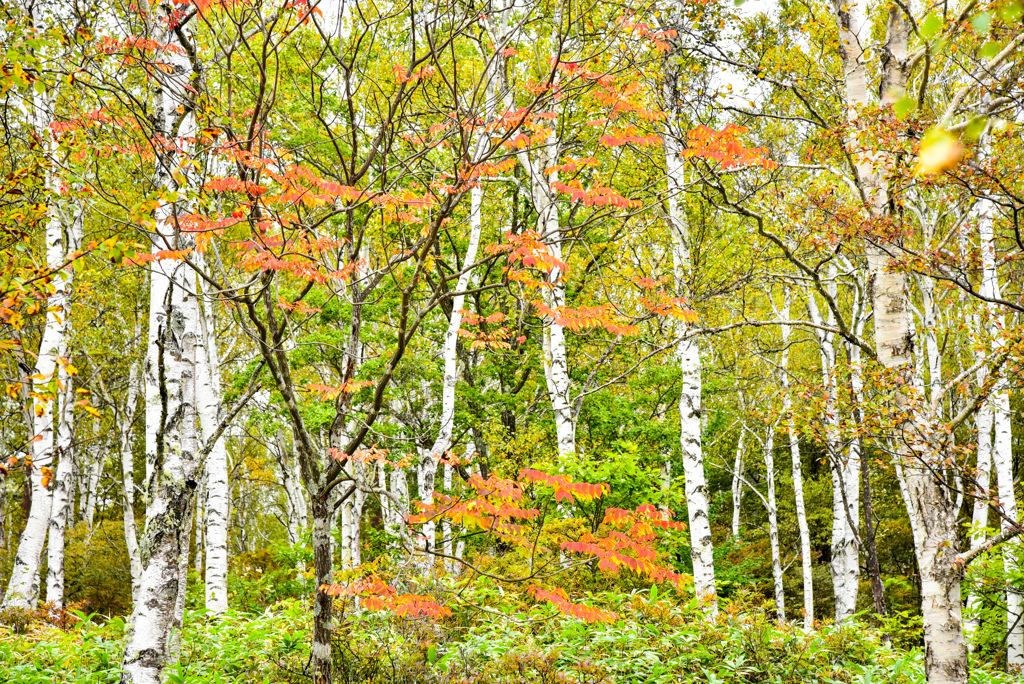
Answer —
(655, 640)
